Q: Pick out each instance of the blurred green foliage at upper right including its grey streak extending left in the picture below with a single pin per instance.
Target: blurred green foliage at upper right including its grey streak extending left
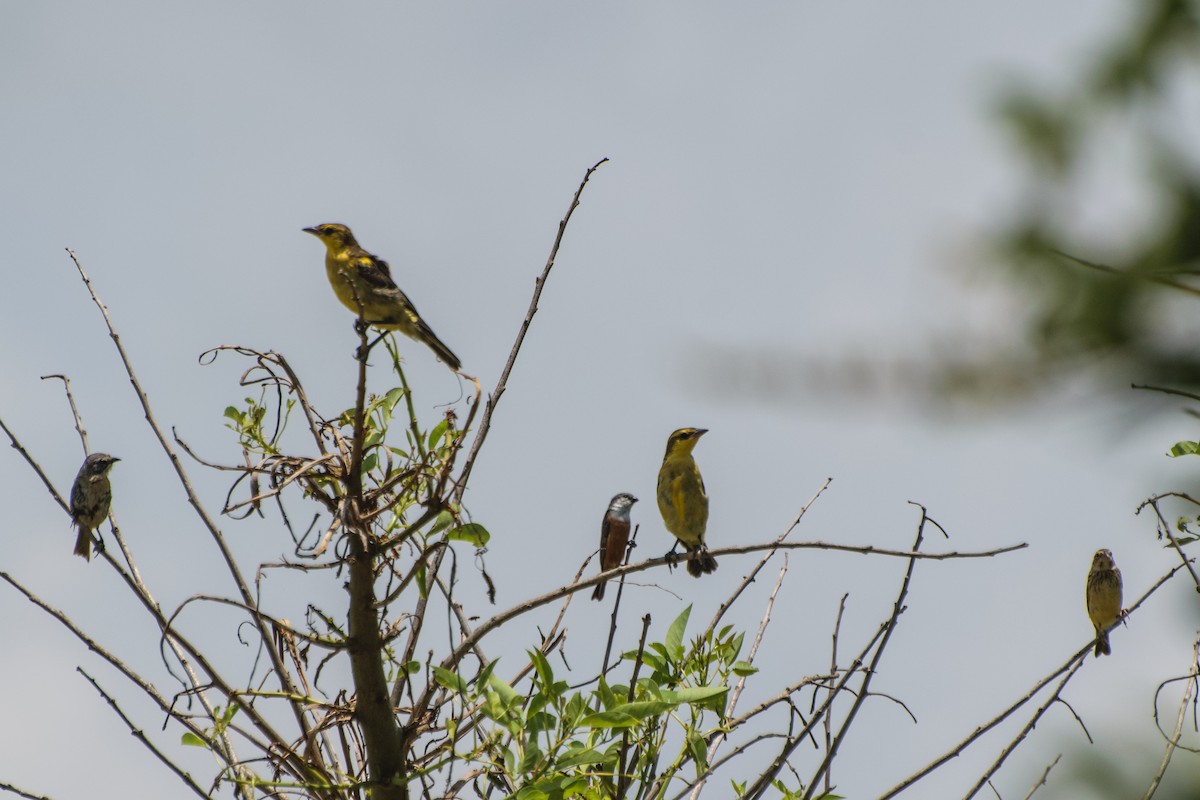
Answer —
(1096, 255)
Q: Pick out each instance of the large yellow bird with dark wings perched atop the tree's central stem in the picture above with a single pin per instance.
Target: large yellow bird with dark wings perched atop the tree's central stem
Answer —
(359, 278)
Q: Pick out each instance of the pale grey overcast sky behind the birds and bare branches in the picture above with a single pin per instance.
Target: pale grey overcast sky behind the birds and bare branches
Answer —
(784, 178)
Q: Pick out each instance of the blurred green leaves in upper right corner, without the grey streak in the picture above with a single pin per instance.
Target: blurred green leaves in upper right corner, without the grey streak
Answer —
(1099, 297)
